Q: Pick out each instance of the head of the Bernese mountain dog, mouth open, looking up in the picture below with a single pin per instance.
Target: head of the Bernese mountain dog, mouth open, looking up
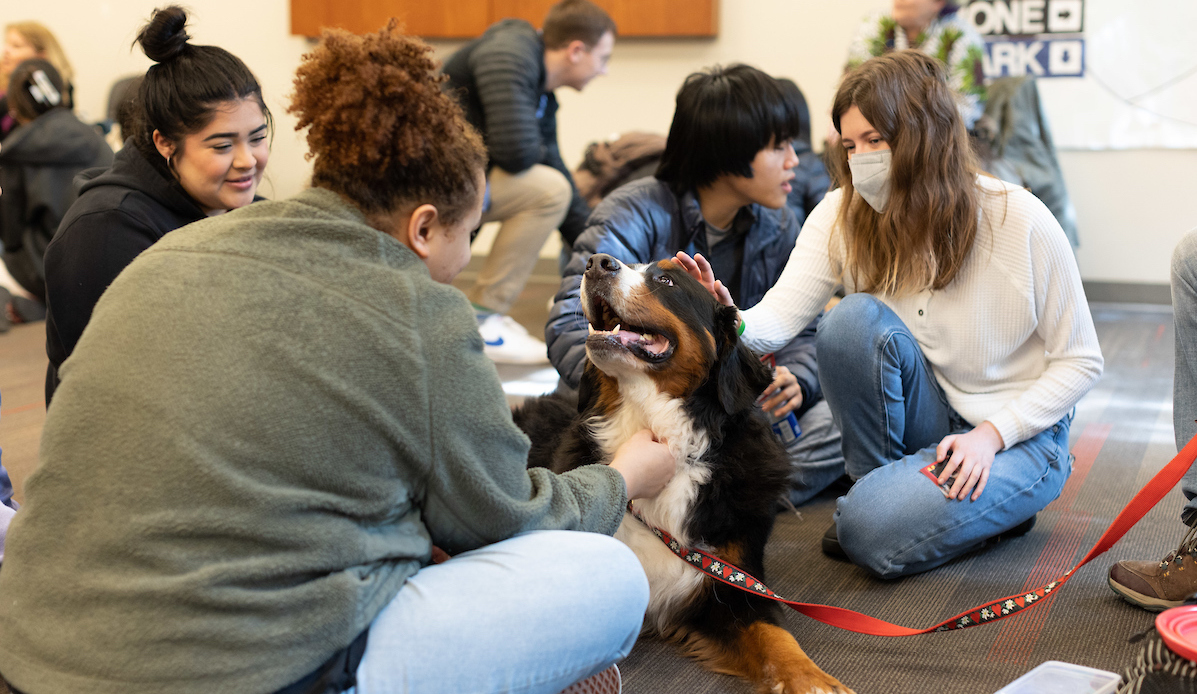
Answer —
(657, 322)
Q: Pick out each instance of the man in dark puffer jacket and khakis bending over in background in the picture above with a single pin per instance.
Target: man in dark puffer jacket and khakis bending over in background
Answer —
(506, 81)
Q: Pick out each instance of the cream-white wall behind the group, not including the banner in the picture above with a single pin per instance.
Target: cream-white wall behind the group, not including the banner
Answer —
(1133, 206)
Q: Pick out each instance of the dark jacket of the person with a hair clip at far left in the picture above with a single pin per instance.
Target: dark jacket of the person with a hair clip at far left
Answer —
(38, 165)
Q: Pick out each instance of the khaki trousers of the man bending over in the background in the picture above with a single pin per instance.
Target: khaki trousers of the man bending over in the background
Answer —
(531, 205)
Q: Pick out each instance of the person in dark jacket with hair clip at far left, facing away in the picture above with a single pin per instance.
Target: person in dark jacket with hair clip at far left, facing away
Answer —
(39, 162)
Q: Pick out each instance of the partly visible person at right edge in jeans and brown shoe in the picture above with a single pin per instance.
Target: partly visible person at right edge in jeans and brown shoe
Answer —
(1158, 586)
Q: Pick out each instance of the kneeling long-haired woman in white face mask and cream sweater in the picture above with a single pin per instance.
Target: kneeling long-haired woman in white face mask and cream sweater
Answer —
(965, 338)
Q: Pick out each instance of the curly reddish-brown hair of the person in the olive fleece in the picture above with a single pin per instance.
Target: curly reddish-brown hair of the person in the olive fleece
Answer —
(381, 130)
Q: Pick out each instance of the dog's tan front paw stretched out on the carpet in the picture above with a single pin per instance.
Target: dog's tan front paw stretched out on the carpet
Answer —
(768, 656)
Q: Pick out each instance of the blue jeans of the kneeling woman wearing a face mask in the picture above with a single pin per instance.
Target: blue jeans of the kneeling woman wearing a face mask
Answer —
(892, 415)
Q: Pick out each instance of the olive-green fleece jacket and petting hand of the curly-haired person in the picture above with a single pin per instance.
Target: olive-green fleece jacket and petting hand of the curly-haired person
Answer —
(271, 418)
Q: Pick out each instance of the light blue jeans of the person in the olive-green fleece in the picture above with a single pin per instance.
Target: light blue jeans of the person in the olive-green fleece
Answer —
(532, 614)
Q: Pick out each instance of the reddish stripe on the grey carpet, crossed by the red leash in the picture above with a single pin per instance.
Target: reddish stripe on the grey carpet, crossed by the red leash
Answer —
(1017, 637)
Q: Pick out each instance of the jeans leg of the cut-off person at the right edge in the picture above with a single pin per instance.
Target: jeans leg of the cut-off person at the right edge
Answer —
(1184, 388)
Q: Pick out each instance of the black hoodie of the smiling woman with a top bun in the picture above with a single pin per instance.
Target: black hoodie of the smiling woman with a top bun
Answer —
(120, 214)
